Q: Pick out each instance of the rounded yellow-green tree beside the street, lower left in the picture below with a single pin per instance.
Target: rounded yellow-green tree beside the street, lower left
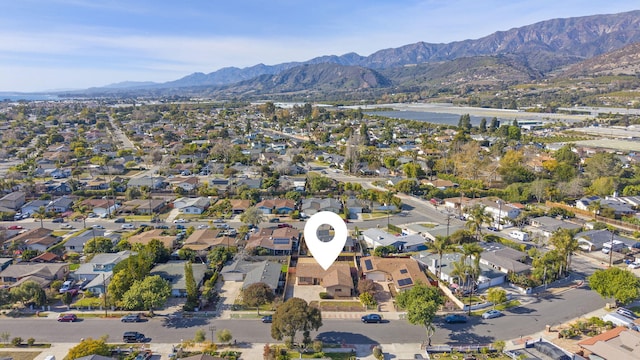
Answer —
(150, 293)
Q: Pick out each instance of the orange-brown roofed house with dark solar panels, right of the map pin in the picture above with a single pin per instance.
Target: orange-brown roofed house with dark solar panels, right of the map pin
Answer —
(402, 273)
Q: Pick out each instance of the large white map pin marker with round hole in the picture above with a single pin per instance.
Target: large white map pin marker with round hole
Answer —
(325, 253)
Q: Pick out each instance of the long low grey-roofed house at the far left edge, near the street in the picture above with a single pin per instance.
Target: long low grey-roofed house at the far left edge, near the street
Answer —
(42, 273)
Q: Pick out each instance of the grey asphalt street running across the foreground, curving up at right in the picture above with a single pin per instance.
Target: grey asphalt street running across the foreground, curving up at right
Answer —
(521, 321)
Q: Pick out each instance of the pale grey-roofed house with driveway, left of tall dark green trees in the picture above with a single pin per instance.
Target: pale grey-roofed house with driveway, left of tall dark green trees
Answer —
(96, 274)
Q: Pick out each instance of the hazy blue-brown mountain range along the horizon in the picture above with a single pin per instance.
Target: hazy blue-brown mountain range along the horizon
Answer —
(552, 48)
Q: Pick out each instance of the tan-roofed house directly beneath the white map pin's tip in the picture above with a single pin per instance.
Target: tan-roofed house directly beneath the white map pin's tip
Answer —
(336, 280)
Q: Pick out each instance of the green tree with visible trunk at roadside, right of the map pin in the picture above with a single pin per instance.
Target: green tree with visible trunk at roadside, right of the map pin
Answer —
(421, 303)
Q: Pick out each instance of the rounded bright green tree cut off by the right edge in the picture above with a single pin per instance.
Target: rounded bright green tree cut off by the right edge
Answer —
(620, 284)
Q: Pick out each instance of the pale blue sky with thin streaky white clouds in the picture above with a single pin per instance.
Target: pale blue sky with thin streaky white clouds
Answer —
(72, 44)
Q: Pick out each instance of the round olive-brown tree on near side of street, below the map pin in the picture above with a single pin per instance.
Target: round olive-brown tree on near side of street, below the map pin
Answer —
(292, 316)
